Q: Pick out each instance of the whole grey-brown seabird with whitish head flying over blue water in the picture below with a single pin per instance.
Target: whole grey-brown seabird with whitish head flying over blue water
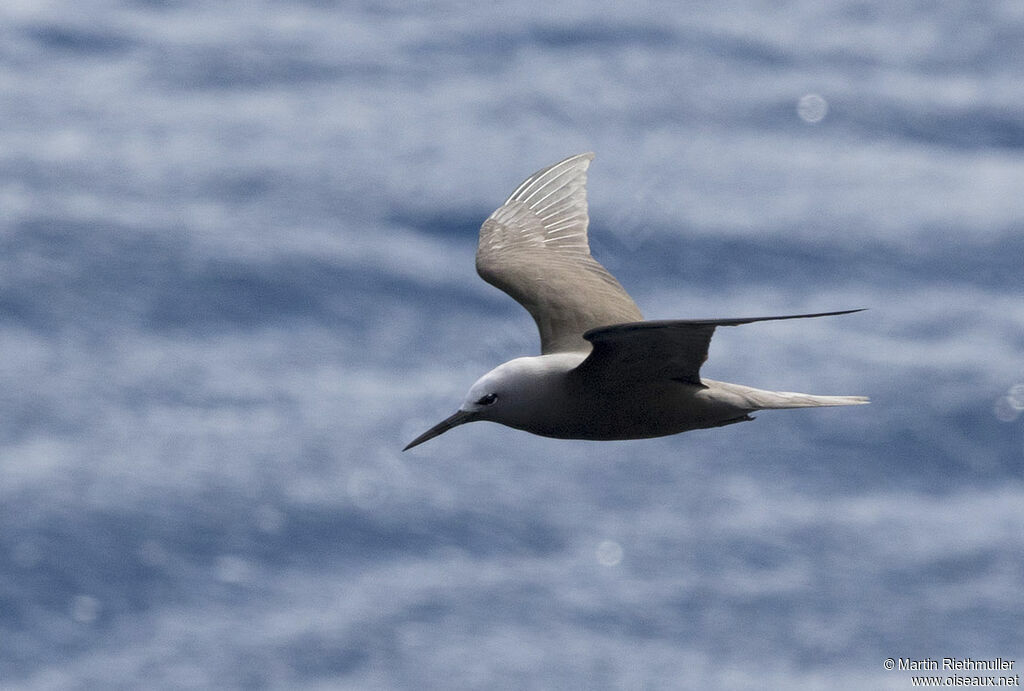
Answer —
(604, 372)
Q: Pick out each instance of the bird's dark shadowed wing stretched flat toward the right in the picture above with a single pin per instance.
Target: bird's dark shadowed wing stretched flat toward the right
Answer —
(647, 352)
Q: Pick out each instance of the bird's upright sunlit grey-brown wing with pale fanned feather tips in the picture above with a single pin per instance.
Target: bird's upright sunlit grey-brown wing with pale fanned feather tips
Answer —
(535, 248)
